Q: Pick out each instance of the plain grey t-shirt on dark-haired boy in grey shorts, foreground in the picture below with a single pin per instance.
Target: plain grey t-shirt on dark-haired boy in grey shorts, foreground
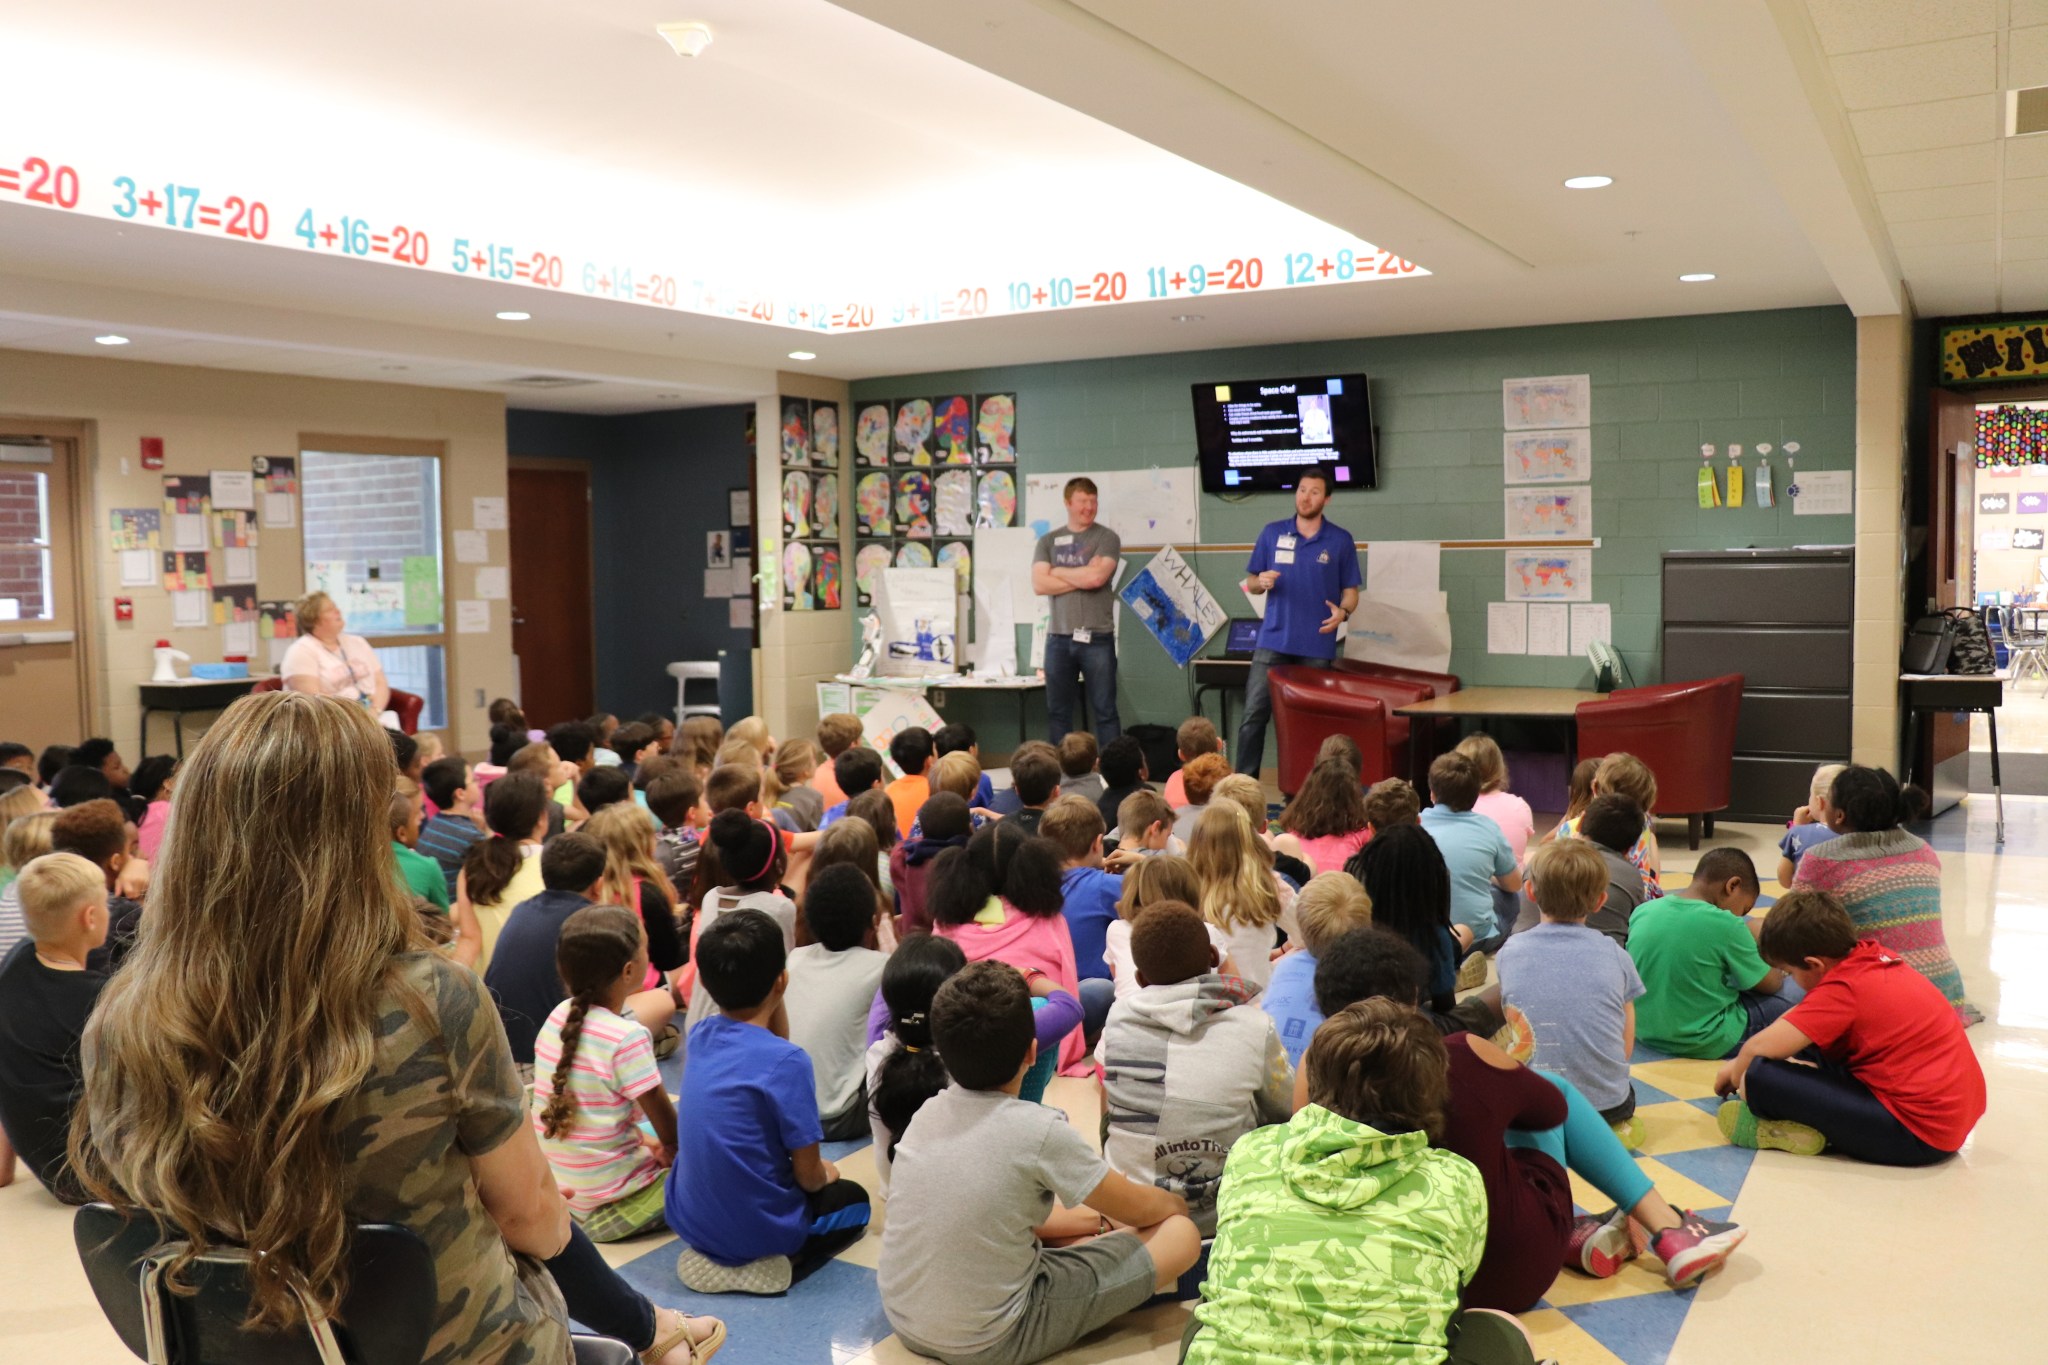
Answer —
(974, 1178)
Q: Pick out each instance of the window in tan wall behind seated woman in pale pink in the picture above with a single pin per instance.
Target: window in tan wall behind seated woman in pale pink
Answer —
(374, 545)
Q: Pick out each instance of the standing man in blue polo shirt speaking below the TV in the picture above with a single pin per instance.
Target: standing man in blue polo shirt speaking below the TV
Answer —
(1308, 572)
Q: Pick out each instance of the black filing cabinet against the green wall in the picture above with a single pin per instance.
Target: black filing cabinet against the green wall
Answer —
(1787, 623)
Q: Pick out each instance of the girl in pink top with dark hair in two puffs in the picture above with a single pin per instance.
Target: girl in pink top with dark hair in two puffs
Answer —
(1000, 899)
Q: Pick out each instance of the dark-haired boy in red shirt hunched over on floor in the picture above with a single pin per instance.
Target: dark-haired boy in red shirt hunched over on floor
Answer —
(1895, 1082)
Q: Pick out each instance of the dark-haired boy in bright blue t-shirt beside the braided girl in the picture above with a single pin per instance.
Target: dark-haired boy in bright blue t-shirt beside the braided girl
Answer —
(755, 1202)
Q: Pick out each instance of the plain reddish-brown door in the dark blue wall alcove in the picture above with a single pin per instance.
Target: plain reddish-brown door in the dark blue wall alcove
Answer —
(552, 601)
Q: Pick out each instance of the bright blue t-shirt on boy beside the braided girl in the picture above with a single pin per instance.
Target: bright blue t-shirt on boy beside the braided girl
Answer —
(751, 1104)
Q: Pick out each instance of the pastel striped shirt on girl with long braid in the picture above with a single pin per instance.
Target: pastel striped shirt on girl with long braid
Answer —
(599, 1159)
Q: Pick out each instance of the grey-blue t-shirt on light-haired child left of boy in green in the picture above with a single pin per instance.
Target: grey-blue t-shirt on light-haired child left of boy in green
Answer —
(1574, 983)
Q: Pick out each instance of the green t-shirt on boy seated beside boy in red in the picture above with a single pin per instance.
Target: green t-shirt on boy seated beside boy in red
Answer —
(1695, 961)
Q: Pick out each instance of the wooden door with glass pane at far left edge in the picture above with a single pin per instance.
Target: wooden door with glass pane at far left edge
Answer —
(42, 676)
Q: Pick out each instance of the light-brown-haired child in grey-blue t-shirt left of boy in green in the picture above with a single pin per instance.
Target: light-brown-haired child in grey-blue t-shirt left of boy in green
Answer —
(1576, 985)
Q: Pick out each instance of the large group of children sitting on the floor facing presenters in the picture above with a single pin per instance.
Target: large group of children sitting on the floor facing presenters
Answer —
(1289, 1069)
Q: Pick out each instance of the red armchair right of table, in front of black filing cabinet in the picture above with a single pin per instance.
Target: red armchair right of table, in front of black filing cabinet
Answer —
(1687, 736)
